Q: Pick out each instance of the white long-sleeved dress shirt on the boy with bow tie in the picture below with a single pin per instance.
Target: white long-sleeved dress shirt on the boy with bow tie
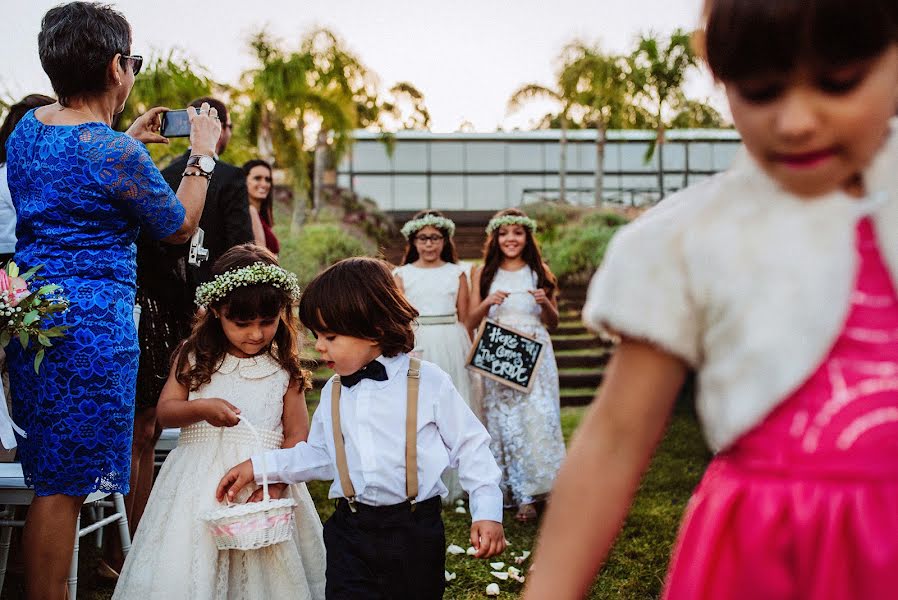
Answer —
(373, 419)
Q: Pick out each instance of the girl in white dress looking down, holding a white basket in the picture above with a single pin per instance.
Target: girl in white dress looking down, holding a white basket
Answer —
(241, 359)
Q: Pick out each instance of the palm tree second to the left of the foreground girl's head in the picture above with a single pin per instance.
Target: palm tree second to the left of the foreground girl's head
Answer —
(595, 83)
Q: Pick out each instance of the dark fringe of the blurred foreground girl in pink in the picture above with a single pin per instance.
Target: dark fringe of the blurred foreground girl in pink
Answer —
(745, 38)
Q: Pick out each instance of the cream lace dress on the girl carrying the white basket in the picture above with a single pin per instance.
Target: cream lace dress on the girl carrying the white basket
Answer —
(173, 555)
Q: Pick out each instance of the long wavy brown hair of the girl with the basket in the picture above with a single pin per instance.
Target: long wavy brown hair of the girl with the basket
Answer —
(207, 342)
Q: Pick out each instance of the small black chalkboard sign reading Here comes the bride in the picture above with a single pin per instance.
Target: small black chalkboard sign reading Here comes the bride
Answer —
(505, 355)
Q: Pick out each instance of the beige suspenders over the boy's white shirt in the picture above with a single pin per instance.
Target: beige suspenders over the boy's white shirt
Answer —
(411, 437)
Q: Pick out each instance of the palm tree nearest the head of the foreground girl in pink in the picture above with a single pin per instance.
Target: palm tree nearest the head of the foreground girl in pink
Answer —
(659, 68)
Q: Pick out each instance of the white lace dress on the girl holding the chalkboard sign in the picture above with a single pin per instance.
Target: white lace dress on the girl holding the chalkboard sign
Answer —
(526, 428)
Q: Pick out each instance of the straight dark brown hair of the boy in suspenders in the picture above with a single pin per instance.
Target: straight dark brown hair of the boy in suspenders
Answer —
(358, 297)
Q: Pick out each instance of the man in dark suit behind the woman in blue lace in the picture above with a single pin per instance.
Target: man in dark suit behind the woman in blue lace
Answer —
(225, 218)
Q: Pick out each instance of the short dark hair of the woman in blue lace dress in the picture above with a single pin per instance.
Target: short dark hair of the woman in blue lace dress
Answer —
(76, 42)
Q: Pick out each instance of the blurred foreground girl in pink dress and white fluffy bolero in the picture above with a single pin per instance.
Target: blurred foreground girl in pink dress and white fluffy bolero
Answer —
(776, 282)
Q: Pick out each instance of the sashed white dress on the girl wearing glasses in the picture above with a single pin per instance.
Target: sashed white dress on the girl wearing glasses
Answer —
(434, 292)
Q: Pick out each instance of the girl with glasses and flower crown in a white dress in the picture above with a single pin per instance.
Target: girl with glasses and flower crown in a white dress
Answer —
(437, 286)
